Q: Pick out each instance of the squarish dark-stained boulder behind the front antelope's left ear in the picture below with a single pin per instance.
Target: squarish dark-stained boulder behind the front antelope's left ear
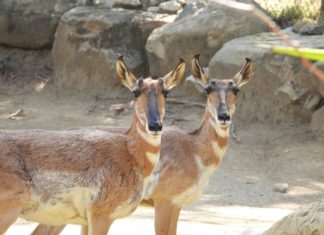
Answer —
(89, 40)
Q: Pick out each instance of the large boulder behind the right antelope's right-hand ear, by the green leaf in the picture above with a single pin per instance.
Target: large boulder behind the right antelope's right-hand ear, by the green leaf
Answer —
(281, 90)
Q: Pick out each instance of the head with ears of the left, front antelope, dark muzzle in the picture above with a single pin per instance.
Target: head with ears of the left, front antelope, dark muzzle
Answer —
(149, 94)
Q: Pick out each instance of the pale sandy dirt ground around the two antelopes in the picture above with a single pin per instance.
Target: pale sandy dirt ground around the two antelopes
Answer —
(240, 198)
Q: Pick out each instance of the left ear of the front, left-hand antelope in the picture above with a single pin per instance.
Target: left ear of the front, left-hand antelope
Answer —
(124, 75)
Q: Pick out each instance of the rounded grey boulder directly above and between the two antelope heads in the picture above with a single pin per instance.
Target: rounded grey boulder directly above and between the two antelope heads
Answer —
(204, 33)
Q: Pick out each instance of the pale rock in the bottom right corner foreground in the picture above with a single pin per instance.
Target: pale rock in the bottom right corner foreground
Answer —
(308, 221)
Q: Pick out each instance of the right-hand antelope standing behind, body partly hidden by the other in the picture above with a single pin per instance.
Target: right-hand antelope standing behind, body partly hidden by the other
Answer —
(188, 160)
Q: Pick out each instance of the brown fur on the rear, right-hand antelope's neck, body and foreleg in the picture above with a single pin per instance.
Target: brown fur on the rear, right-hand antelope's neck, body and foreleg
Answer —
(175, 163)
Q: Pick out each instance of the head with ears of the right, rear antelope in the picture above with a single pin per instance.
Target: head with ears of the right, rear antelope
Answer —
(221, 93)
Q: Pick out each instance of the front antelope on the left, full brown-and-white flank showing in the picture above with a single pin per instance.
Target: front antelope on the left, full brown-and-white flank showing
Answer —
(87, 177)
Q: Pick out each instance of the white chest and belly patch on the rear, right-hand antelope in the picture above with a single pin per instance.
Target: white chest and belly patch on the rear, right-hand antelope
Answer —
(193, 193)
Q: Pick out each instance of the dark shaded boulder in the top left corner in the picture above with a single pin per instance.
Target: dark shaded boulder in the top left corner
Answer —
(31, 24)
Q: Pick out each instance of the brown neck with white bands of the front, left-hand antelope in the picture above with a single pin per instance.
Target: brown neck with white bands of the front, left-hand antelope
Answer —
(144, 147)
